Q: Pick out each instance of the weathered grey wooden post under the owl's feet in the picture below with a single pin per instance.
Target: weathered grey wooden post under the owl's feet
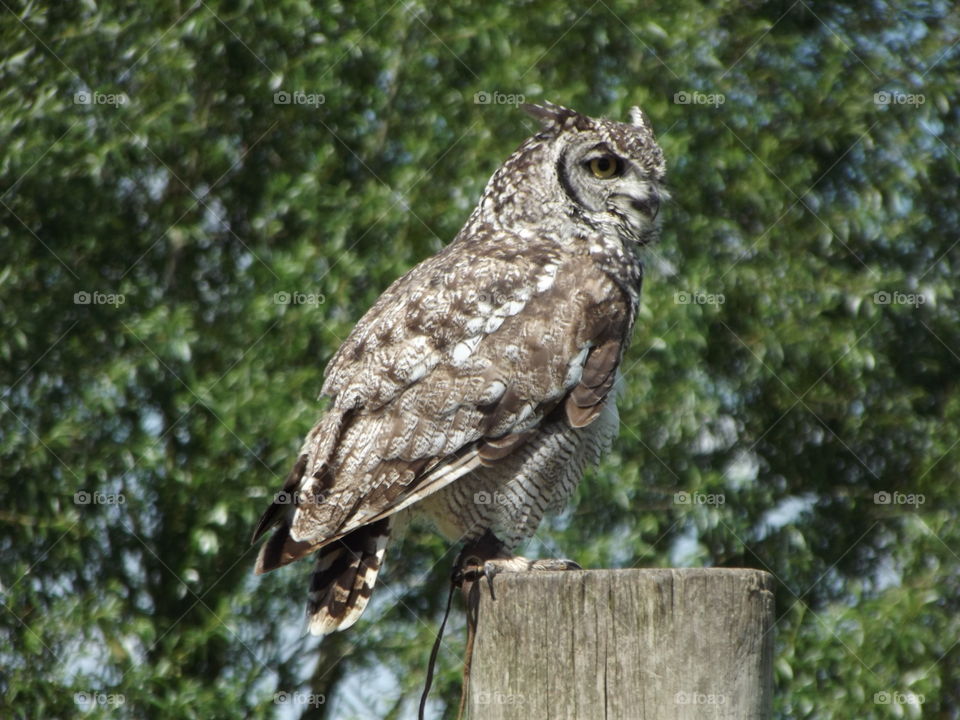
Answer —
(624, 644)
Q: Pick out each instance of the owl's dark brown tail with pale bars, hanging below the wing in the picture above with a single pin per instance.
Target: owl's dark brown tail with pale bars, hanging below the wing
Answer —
(344, 577)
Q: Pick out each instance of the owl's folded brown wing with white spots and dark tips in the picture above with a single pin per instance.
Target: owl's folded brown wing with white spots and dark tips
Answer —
(456, 365)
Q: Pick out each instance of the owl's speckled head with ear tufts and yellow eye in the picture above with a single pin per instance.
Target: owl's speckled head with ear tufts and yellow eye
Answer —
(611, 172)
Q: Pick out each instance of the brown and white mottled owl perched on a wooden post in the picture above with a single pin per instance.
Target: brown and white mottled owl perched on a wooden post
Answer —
(480, 384)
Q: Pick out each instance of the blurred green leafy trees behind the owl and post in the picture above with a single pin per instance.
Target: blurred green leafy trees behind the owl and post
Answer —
(198, 201)
